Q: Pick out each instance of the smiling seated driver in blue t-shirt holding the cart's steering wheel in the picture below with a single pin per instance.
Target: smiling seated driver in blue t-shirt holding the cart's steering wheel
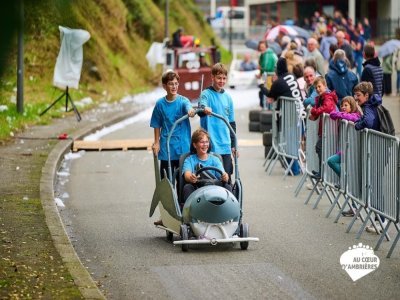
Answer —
(202, 159)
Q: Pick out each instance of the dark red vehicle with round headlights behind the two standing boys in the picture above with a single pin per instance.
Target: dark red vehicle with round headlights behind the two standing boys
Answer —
(193, 65)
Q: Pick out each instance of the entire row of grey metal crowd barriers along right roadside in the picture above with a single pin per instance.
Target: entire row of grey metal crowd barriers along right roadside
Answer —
(369, 180)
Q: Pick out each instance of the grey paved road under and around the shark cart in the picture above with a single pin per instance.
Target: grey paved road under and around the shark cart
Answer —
(106, 215)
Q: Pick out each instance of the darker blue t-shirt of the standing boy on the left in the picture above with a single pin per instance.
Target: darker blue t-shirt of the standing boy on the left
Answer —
(164, 115)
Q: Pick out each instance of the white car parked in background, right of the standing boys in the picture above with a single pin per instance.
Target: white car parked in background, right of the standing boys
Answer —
(239, 77)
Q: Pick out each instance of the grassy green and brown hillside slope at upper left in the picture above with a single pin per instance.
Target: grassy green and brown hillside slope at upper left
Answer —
(114, 57)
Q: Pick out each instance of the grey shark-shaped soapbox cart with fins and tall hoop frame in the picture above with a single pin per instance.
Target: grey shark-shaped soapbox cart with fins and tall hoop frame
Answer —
(211, 214)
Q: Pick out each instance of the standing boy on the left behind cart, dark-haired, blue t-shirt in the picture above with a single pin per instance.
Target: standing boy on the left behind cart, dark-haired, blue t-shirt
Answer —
(167, 110)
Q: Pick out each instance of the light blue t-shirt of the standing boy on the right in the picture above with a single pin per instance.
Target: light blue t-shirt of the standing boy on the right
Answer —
(221, 103)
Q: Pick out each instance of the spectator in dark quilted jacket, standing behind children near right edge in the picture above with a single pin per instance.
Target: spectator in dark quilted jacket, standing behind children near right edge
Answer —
(372, 71)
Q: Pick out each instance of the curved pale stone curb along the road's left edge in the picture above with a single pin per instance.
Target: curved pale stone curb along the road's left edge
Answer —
(79, 273)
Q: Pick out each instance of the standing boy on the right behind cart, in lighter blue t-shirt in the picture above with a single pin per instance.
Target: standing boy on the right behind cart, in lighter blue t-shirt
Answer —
(216, 99)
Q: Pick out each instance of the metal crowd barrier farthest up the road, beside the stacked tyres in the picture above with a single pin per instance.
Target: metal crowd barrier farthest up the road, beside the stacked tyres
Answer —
(286, 133)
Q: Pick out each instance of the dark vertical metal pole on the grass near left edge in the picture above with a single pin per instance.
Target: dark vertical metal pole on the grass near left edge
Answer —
(20, 60)
